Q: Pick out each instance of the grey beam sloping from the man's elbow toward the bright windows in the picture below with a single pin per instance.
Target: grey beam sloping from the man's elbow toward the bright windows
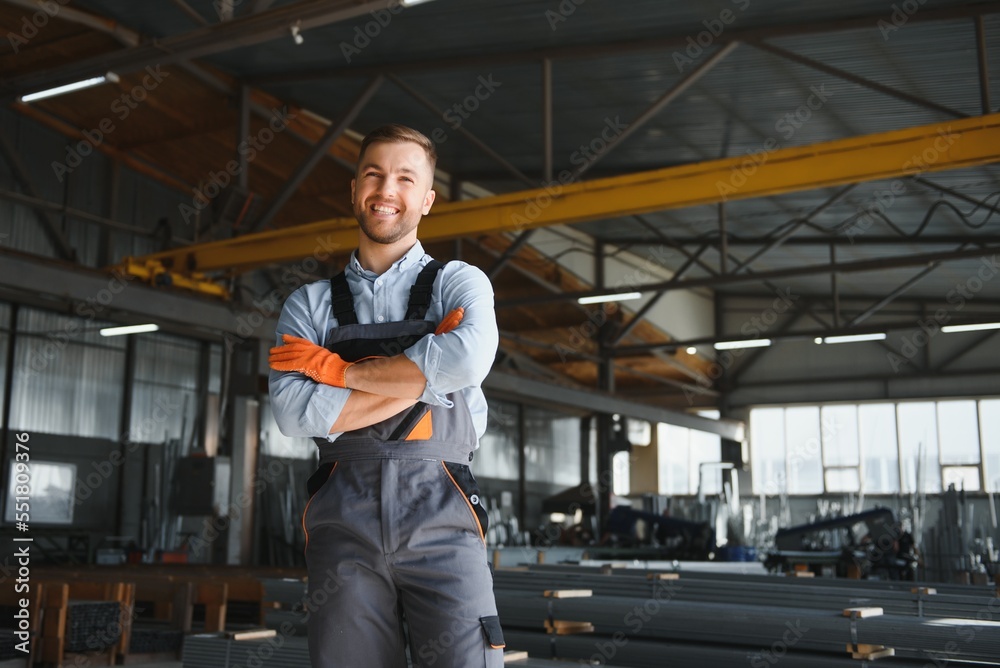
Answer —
(600, 402)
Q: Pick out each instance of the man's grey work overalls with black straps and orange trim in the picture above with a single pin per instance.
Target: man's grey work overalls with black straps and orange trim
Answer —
(394, 525)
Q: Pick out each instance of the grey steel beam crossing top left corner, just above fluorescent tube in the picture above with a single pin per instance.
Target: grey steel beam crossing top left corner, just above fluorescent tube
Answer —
(205, 41)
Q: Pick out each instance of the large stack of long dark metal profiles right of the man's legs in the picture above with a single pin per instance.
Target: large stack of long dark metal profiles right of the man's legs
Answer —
(749, 620)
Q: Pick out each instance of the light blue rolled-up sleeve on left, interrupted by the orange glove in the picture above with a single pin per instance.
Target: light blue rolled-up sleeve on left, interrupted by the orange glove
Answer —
(301, 406)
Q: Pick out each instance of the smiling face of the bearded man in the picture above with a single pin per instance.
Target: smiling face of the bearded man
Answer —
(392, 191)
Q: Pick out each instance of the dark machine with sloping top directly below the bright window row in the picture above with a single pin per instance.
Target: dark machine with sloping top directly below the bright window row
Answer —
(871, 544)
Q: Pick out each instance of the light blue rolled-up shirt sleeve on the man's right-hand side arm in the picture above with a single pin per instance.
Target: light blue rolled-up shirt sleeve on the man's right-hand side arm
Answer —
(463, 357)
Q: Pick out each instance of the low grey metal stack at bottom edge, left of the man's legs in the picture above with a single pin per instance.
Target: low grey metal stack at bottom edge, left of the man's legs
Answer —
(212, 650)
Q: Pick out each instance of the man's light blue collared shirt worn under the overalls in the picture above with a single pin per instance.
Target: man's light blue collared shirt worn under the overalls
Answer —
(452, 362)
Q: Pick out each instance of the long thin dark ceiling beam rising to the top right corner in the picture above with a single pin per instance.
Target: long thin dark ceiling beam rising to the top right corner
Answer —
(656, 44)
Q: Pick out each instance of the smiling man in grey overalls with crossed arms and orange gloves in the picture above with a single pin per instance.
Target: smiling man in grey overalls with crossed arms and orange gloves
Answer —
(382, 366)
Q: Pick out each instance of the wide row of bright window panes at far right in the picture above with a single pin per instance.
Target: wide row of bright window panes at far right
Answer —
(876, 448)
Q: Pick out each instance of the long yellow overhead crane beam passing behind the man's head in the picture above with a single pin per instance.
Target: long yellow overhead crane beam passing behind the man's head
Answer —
(770, 171)
